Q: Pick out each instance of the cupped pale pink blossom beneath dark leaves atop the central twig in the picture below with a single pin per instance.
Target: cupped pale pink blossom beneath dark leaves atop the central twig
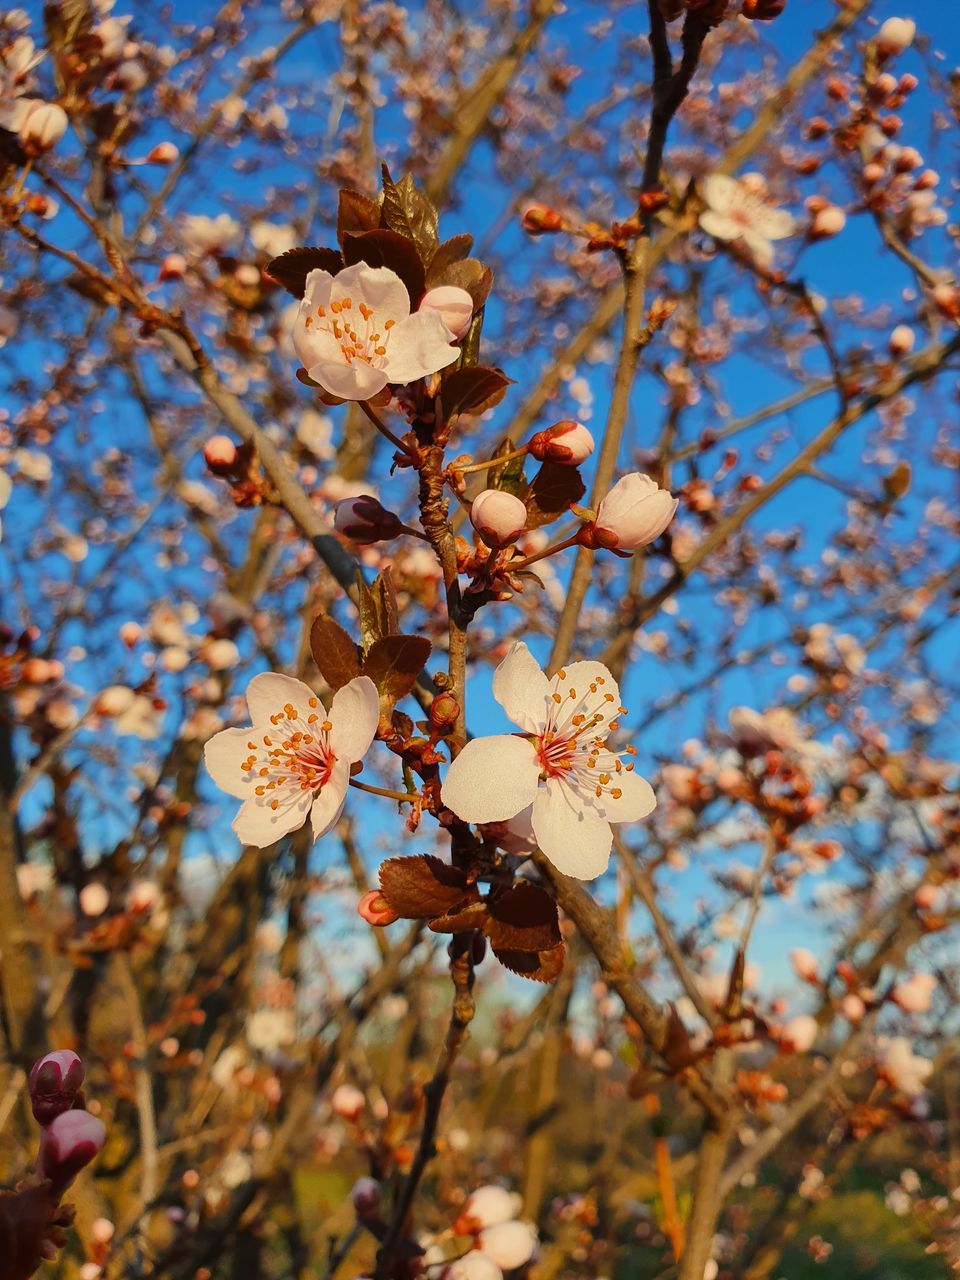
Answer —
(354, 333)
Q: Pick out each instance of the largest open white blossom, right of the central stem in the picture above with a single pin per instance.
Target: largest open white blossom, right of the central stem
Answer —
(560, 769)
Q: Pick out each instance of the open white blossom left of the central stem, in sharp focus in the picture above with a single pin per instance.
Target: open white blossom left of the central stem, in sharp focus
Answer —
(295, 760)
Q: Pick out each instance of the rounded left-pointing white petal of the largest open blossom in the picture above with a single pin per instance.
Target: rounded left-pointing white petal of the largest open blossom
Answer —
(493, 779)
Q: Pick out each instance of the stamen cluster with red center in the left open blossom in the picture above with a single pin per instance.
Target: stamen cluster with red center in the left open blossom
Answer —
(296, 757)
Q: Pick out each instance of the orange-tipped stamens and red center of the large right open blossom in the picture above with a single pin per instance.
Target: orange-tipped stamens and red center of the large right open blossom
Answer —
(573, 746)
